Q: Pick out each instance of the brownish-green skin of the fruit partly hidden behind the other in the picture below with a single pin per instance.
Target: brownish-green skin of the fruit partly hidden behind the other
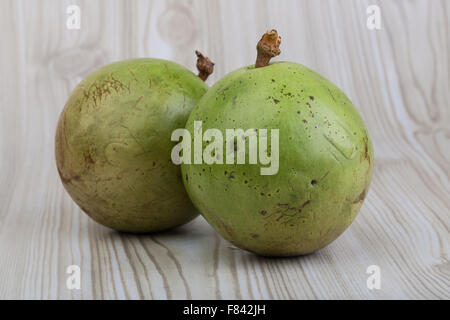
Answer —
(113, 144)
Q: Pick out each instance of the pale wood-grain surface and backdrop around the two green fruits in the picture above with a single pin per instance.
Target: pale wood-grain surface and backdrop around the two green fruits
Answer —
(398, 77)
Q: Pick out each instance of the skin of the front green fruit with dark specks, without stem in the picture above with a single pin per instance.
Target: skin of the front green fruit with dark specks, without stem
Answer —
(325, 155)
